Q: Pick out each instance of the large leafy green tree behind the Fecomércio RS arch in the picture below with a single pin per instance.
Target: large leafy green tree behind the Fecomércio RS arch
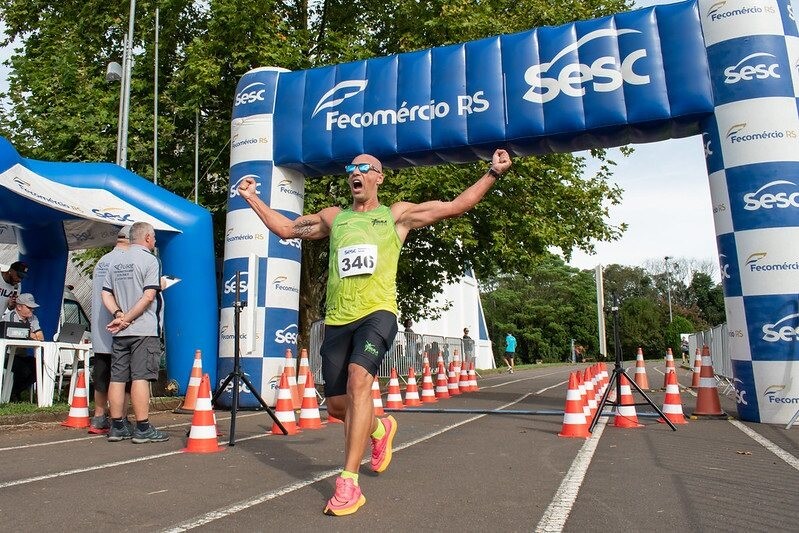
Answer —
(59, 107)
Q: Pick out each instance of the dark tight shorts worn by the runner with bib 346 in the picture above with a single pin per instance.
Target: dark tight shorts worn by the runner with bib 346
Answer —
(363, 342)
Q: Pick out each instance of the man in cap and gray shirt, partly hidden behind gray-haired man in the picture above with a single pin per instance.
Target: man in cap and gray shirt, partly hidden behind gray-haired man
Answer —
(101, 337)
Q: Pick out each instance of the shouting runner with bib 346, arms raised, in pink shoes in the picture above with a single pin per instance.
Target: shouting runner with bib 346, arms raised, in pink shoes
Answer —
(361, 307)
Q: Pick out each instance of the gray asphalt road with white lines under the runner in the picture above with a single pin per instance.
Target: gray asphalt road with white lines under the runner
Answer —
(462, 471)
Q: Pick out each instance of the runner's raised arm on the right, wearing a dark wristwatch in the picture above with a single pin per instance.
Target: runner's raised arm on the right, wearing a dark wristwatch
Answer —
(408, 216)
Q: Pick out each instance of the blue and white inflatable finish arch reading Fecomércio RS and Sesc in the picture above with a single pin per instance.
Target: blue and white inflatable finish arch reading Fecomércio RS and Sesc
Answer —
(724, 69)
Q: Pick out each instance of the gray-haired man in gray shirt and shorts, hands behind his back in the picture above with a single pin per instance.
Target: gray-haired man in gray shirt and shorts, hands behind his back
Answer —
(132, 293)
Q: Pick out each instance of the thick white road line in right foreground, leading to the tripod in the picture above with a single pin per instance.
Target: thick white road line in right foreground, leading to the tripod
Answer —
(561, 505)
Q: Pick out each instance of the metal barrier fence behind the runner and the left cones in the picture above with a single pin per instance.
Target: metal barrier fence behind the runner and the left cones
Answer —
(406, 351)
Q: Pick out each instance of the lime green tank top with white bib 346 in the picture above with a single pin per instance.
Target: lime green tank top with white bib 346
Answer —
(362, 276)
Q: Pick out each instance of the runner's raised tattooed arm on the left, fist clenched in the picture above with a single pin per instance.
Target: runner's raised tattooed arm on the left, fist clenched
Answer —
(316, 226)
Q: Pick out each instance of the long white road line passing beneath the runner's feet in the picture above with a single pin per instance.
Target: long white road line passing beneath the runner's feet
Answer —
(265, 497)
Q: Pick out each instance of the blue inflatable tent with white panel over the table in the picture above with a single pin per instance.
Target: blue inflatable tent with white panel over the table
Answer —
(50, 208)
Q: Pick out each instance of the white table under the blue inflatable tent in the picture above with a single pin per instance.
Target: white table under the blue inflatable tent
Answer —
(48, 361)
